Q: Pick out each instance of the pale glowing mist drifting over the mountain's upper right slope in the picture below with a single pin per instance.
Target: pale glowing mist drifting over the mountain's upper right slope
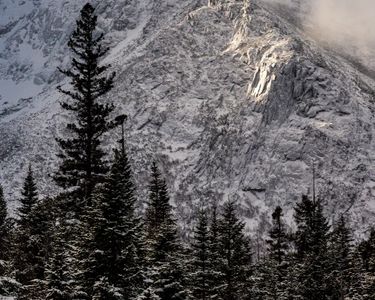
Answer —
(348, 25)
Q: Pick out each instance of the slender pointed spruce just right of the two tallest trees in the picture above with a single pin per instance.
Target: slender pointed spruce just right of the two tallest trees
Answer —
(164, 252)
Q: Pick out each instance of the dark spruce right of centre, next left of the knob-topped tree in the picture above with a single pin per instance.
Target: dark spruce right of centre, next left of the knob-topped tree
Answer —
(234, 253)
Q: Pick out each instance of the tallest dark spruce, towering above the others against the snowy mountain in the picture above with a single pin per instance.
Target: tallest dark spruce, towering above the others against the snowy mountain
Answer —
(83, 159)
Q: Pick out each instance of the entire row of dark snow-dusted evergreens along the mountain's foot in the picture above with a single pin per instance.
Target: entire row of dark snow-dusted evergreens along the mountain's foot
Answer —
(91, 242)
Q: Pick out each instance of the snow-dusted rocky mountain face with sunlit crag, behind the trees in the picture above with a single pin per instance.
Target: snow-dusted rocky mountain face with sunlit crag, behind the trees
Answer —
(232, 100)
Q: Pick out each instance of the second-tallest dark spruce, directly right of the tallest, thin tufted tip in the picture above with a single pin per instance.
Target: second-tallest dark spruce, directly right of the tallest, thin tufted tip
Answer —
(113, 266)
